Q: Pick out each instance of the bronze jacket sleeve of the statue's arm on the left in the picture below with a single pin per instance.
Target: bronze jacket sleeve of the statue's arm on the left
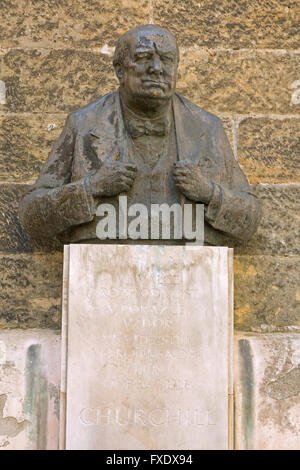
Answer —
(54, 203)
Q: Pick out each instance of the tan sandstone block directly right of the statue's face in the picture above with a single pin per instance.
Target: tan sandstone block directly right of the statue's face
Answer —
(240, 82)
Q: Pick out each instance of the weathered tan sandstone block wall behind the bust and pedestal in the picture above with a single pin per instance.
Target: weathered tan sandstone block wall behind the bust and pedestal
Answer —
(239, 60)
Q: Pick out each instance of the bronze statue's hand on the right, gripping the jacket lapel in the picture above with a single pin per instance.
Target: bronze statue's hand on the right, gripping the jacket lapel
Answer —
(191, 182)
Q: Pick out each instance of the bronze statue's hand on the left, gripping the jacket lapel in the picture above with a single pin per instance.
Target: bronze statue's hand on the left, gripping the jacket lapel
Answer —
(113, 178)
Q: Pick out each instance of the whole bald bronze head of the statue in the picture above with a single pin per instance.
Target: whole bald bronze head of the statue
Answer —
(145, 61)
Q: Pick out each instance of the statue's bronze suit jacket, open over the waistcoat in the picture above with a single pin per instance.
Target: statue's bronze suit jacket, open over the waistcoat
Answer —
(61, 200)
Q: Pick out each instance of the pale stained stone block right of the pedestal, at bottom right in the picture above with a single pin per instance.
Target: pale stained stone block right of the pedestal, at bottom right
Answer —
(267, 392)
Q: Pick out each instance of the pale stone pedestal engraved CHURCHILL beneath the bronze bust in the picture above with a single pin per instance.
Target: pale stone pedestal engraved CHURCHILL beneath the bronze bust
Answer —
(147, 348)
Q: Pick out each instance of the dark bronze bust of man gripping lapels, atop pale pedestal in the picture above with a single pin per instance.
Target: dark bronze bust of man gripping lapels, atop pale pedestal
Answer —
(146, 141)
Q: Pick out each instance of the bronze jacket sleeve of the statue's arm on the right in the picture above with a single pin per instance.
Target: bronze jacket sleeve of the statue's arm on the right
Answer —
(233, 209)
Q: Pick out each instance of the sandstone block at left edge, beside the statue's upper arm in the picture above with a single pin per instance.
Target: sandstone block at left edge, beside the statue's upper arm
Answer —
(25, 142)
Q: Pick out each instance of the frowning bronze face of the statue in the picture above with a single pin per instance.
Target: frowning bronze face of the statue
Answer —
(151, 69)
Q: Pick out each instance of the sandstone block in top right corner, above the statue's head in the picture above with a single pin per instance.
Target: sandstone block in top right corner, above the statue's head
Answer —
(266, 25)
